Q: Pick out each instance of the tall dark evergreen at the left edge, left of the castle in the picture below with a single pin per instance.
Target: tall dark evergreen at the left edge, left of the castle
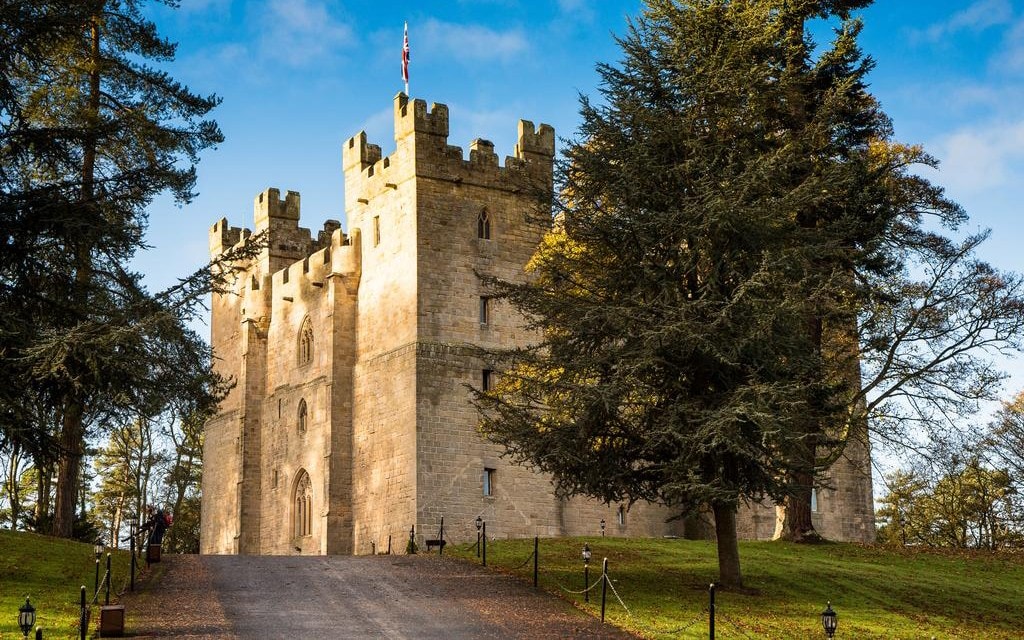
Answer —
(92, 135)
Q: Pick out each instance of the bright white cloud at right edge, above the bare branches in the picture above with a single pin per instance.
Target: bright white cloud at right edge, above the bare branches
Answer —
(980, 158)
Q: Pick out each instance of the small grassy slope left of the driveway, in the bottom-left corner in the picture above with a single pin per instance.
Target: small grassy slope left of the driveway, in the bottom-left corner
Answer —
(51, 572)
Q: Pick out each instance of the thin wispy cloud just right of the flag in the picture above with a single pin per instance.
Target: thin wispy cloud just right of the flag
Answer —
(471, 42)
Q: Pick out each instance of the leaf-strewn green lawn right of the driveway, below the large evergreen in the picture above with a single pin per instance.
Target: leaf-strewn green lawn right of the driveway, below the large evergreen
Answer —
(878, 593)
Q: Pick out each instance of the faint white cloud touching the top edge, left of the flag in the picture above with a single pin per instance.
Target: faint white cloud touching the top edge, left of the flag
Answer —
(302, 31)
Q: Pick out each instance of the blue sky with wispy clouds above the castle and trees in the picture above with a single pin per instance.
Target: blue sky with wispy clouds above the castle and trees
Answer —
(300, 77)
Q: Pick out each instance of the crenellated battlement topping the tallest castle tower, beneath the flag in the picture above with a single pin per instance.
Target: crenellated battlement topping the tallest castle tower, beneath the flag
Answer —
(422, 152)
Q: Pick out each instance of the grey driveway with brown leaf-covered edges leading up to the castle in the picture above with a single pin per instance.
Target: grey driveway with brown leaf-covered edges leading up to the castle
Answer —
(422, 598)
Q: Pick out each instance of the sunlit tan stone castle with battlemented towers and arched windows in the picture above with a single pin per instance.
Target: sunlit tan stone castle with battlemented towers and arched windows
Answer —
(351, 421)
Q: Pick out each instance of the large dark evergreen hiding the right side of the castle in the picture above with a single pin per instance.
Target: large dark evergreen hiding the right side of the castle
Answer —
(730, 210)
